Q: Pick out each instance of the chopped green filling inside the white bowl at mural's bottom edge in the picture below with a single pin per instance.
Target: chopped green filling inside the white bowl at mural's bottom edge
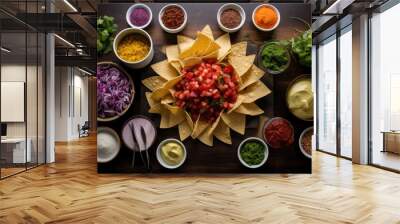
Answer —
(252, 152)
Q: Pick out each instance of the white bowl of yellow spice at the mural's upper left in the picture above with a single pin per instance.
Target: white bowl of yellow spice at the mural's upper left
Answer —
(134, 47)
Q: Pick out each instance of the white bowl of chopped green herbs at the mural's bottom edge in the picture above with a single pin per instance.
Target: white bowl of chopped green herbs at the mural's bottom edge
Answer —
(253, 152)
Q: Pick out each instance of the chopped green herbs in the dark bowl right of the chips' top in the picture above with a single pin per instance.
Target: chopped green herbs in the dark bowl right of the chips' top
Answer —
(275, 57)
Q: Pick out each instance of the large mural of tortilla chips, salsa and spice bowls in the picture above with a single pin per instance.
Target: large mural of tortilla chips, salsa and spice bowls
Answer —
(204, 88)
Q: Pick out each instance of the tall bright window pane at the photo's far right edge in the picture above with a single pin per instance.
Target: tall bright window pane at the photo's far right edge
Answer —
(385, 84)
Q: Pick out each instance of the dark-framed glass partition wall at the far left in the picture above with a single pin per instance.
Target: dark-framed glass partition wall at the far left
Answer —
(22, 77)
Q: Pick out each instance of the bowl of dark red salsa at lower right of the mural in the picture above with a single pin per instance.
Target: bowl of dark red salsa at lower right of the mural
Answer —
(278, 133)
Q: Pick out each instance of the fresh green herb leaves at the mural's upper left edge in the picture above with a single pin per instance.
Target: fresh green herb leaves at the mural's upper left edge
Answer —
(106, 29)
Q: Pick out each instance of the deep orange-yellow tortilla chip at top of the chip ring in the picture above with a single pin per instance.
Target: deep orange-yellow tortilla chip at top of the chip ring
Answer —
(202, 46)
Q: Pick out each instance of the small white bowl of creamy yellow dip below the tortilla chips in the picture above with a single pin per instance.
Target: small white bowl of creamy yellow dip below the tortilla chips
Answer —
(171, 153)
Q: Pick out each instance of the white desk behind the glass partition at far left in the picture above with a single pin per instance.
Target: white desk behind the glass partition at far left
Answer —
(16, 147)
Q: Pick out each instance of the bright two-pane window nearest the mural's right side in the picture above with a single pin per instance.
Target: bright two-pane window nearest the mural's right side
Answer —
(334, 94)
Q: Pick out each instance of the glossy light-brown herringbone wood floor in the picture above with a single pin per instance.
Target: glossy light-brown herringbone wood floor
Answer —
(70, 191)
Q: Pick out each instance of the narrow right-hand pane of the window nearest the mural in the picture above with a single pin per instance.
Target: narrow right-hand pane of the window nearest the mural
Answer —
(346, 93)
